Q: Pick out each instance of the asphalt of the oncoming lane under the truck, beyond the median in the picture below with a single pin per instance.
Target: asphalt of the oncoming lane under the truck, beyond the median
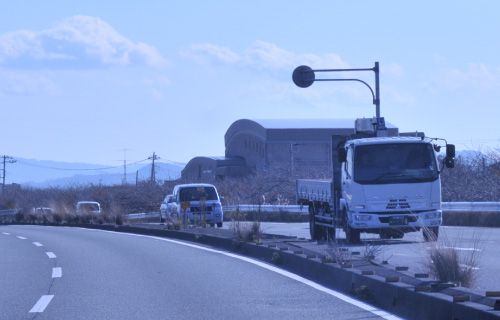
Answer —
(412, 250)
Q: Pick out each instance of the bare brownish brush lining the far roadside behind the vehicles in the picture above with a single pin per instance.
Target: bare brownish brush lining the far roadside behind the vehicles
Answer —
(474, 178)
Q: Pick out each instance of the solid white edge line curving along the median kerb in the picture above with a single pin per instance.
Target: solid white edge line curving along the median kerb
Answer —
(338, 295)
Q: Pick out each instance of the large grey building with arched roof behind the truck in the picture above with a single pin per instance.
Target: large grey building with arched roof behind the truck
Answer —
(256, 144)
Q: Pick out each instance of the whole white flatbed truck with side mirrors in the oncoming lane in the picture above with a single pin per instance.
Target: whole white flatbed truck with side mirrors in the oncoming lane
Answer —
(383, 185)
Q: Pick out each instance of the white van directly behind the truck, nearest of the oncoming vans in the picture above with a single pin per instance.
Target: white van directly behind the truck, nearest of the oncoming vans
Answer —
(198, 201)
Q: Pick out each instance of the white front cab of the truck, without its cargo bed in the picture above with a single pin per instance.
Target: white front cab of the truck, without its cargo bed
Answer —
(390, 186)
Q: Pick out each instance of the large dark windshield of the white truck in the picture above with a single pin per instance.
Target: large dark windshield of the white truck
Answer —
(395, 163)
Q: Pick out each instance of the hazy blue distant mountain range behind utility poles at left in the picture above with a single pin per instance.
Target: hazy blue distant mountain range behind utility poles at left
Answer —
(44, 173)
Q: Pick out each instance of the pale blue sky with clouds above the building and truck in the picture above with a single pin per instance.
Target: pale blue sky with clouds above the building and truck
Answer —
(102, 81)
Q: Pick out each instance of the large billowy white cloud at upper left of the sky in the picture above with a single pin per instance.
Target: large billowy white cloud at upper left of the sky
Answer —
(77, 42)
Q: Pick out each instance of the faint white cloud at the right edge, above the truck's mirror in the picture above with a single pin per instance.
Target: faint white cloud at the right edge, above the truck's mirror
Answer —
(478, 76)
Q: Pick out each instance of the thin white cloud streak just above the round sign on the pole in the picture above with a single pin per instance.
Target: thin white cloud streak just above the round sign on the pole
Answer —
(262, 55)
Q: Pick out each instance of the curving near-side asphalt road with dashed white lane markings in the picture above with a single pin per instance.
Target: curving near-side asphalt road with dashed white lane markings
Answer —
(71, 273)
